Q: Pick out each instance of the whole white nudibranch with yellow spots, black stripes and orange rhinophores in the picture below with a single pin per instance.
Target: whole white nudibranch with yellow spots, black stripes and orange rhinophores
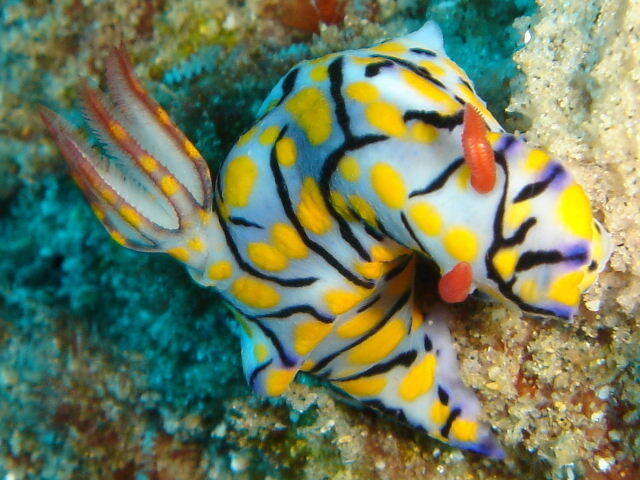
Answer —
(363, 166)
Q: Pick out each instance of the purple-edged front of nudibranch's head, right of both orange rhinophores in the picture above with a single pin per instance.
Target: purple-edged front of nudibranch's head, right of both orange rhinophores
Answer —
(547, 248)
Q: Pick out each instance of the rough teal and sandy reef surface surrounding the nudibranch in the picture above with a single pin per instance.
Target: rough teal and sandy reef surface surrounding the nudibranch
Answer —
(114, 365)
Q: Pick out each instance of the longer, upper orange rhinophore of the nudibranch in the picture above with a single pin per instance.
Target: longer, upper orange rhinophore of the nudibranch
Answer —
(478, 153)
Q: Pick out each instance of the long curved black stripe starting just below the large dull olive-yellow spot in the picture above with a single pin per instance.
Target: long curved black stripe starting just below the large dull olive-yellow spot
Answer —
(283, 193)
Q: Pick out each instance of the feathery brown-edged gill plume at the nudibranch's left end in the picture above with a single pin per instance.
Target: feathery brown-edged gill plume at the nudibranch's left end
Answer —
(152, 190)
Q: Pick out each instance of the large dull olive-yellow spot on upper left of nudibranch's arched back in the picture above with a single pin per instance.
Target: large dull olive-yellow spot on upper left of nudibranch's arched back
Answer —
(311, 109)
